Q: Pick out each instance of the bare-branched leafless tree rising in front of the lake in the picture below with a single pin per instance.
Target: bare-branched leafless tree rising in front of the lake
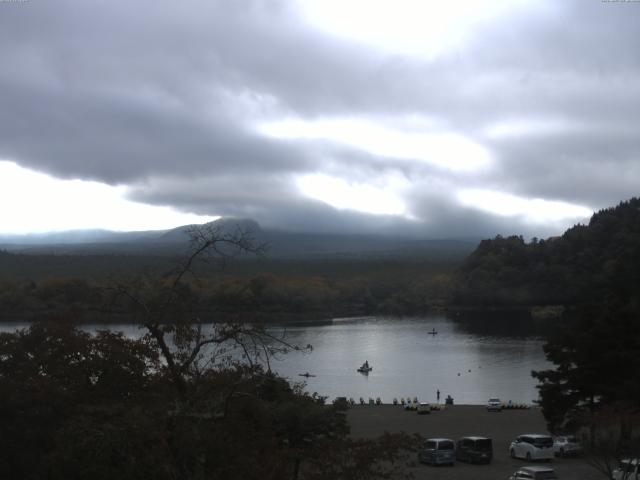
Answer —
(188, 344)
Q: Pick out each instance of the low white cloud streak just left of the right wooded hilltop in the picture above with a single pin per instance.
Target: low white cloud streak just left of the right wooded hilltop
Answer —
(533, 210)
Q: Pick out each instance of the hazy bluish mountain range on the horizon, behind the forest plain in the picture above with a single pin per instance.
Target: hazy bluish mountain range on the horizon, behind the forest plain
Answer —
(281, 244)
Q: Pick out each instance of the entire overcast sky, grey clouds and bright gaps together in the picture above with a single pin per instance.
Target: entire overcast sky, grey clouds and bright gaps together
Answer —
(439, 119)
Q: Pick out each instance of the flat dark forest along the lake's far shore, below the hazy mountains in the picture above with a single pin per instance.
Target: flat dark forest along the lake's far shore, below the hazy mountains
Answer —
(253, 289)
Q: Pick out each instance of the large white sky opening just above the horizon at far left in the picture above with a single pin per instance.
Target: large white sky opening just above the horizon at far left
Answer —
(33, 202)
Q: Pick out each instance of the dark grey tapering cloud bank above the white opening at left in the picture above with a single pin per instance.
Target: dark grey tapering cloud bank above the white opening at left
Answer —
(118, 140)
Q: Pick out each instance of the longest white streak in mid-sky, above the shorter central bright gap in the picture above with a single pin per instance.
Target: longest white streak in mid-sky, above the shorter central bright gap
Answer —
(448, 151)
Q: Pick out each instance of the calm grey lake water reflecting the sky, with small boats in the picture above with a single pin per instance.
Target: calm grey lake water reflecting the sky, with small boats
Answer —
(469, 361)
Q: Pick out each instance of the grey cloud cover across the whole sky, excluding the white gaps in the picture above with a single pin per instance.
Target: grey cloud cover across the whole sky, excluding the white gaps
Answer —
(166, 97)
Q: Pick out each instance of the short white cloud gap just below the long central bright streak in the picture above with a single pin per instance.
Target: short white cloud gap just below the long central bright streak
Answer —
(360, 197)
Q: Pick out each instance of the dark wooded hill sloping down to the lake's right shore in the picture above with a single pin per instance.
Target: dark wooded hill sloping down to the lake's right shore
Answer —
(585, 263)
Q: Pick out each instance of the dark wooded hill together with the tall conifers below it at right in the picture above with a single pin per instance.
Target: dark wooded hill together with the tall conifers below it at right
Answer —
(591, 274)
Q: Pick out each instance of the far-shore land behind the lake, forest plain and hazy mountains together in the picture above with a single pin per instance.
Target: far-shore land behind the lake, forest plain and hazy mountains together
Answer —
(298, 278)
